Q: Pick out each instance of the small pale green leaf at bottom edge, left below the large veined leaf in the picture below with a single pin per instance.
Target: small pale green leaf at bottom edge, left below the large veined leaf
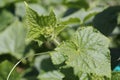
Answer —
(51, 75)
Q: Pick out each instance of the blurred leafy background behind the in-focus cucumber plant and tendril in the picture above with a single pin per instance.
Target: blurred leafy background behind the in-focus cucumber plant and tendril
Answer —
(104, 15)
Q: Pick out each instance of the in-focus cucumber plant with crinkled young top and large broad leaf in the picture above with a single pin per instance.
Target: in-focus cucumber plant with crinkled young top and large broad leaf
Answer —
(85, 56)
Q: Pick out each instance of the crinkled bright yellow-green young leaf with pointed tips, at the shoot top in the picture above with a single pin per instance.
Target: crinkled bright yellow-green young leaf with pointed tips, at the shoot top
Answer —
(41, 27)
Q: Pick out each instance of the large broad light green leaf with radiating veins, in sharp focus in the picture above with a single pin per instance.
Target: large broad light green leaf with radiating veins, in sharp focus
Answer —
(87, 52)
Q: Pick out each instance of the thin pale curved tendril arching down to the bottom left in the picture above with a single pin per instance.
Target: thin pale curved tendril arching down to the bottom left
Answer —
(43, 53)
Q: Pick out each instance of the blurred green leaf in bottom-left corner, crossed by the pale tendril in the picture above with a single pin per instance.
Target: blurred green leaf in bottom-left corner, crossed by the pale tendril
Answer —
(5, 68)
